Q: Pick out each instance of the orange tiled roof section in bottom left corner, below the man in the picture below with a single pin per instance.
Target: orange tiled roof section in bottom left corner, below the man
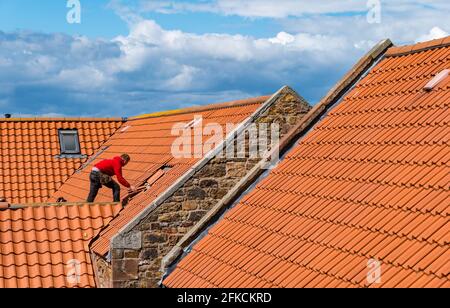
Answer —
(43, 246)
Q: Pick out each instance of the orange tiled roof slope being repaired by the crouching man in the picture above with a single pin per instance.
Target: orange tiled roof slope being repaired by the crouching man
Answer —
(149, 140)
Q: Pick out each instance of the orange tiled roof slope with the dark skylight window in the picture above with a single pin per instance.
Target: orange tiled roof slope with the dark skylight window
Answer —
(30, 170)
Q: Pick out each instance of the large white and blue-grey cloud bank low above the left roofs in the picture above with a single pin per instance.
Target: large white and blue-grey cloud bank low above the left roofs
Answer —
(140, 72)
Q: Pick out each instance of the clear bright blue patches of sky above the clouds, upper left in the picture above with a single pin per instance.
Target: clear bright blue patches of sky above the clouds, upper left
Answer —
(100, 20)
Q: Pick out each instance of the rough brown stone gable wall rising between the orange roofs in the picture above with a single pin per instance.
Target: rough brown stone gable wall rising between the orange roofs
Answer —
(163, 228)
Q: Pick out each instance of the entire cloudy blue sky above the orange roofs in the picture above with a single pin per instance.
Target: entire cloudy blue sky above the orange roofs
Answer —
(138, 56)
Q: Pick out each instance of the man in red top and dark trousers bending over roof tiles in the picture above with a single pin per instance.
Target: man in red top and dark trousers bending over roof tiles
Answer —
(102, 175)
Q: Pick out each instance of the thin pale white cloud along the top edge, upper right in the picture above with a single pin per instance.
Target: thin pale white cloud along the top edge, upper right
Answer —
(403, 21)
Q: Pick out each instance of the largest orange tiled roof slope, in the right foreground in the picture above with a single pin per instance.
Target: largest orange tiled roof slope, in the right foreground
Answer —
(370, 181)
